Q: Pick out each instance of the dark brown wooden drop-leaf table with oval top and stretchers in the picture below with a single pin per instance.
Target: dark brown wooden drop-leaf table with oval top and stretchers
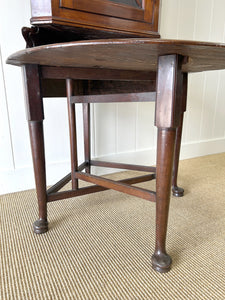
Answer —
(92, 71)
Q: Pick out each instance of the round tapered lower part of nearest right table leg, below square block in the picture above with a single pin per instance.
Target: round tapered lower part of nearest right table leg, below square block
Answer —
(161, 261)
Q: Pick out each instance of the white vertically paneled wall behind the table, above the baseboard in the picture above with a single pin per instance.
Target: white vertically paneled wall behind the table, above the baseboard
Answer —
(120, 131)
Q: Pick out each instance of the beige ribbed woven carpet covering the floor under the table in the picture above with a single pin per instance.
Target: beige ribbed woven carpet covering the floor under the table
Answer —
(99, 246)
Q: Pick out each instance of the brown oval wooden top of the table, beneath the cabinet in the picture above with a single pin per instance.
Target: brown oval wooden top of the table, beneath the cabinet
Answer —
(123, 54)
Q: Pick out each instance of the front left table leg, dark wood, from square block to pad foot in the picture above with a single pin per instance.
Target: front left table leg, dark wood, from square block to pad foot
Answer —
(35, 118)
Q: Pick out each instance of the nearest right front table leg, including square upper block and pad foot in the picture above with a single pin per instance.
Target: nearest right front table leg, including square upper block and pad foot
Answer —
(167, 119)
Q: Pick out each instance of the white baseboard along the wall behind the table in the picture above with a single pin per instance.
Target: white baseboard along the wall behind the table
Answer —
(23, 178)
